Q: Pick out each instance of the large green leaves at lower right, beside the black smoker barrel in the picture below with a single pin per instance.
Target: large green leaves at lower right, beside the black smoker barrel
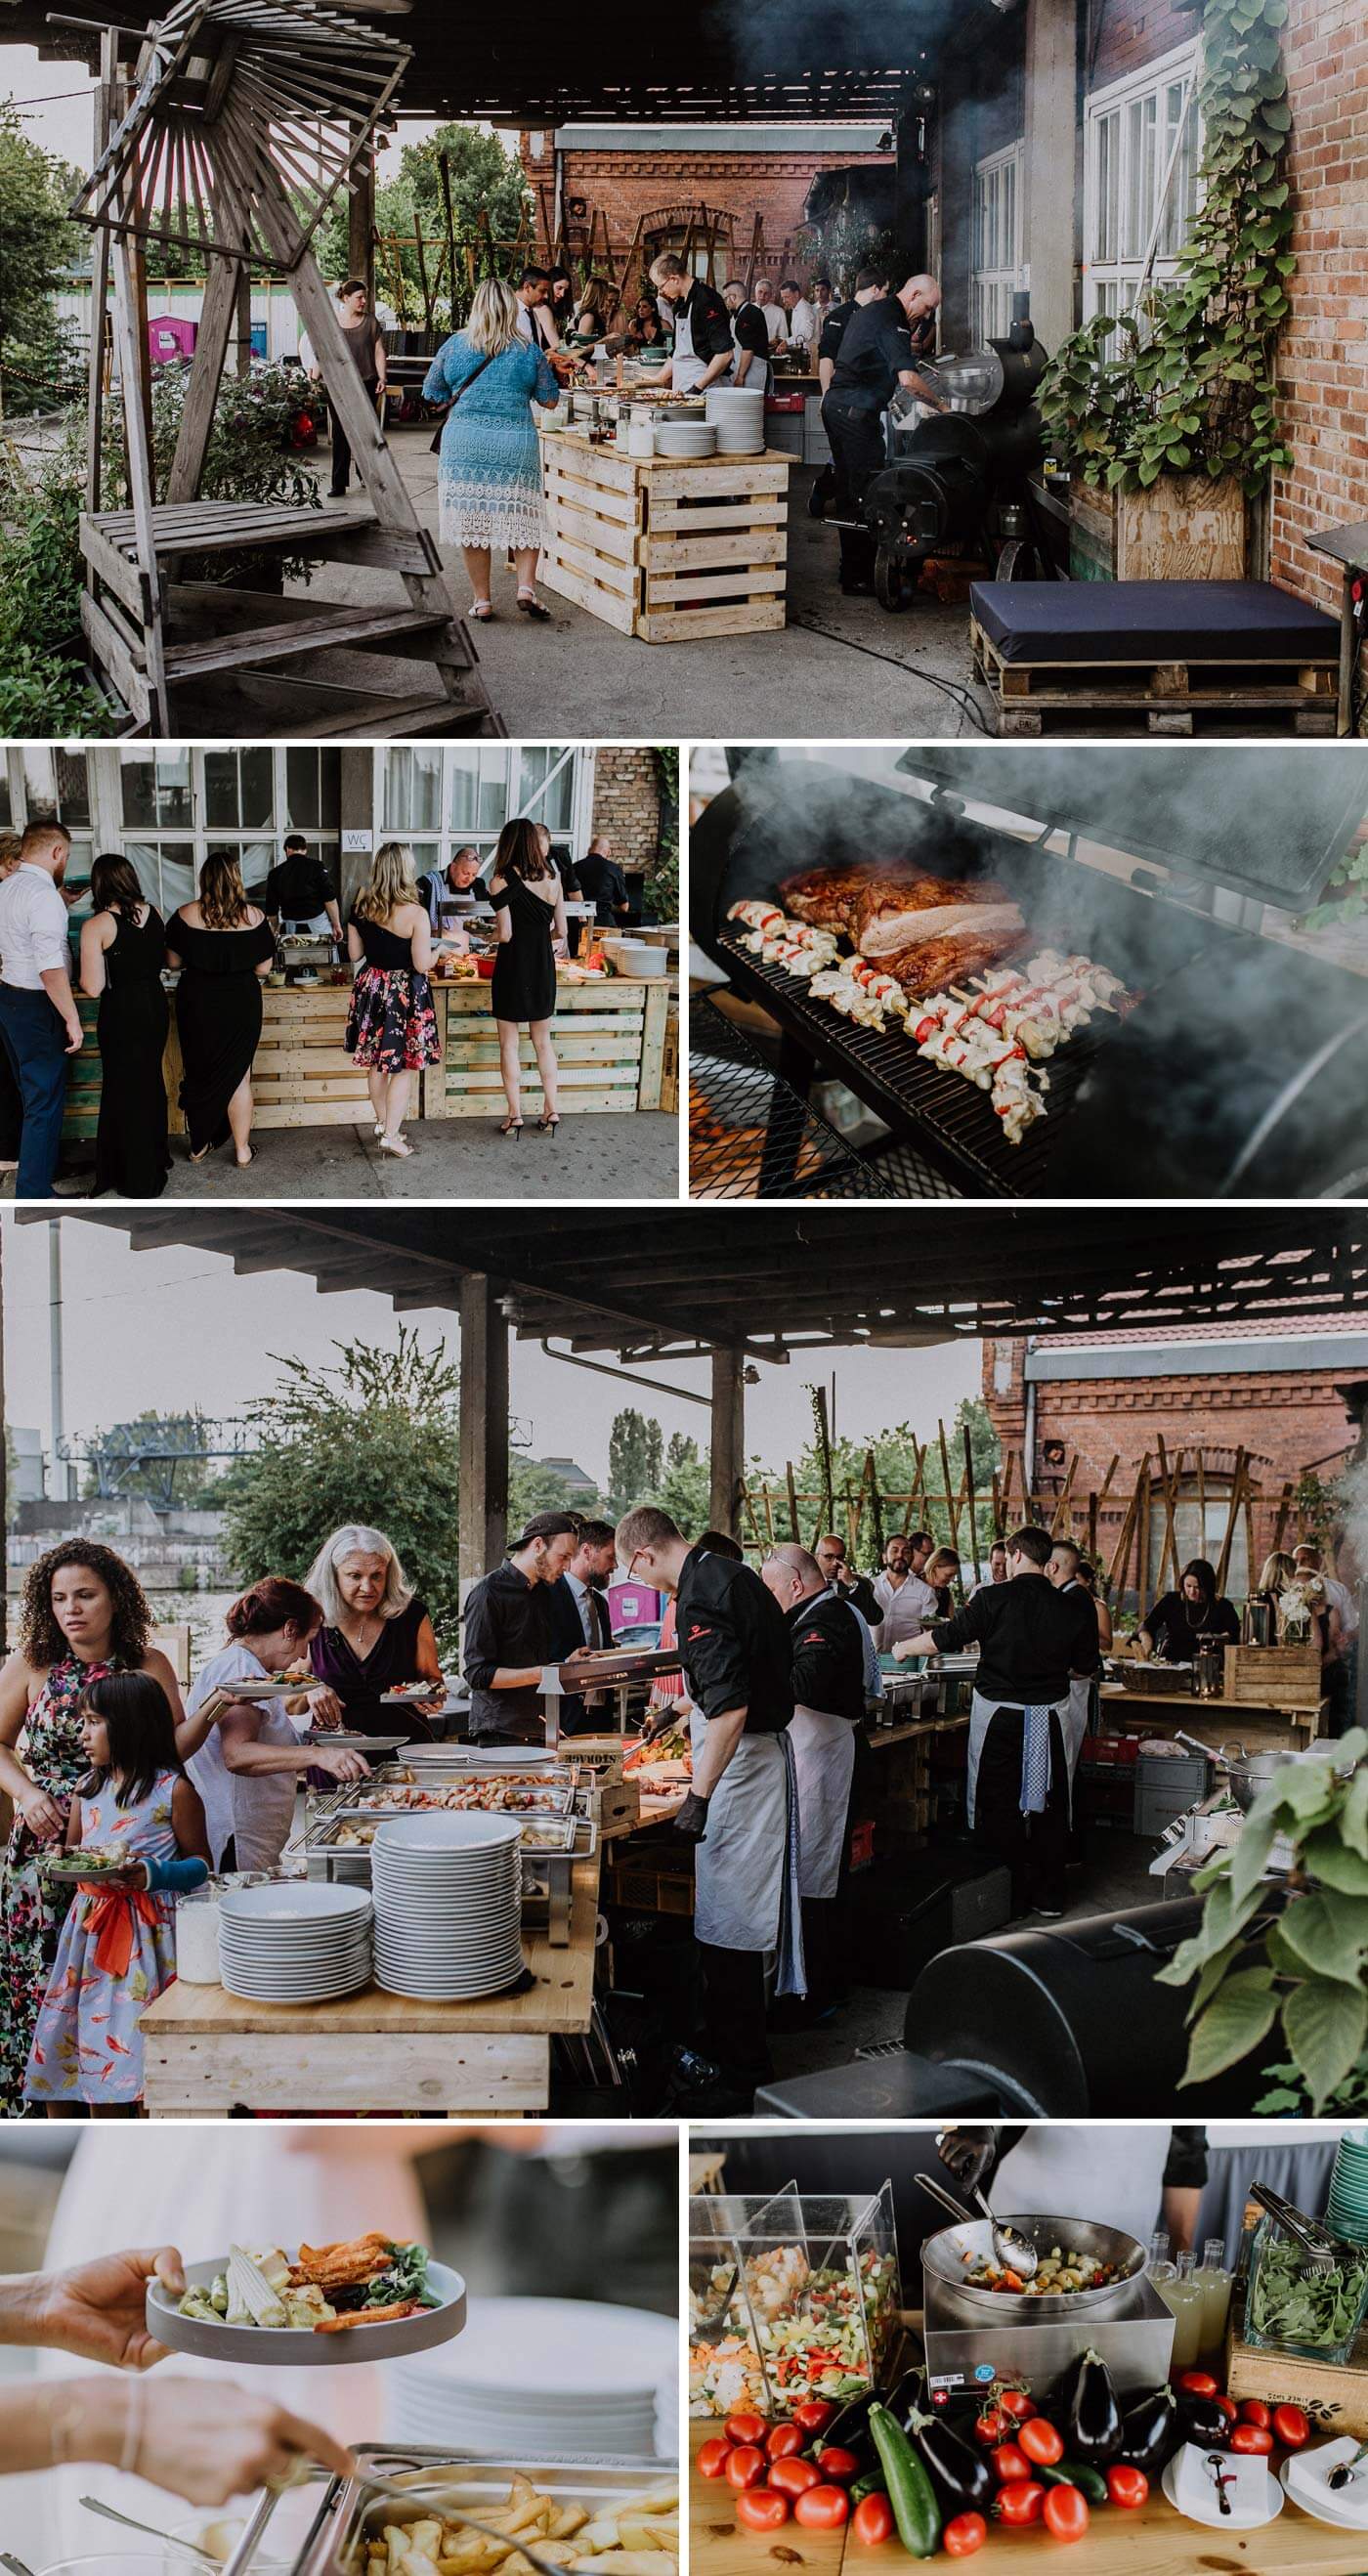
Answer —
(1313, 1980)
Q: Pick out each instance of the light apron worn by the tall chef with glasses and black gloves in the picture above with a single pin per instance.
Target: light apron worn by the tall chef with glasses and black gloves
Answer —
(746, 1871)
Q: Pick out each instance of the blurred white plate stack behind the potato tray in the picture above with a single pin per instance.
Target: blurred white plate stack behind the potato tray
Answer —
(545, 2379)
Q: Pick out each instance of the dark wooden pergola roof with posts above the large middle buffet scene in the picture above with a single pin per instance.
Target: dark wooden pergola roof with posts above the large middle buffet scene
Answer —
(764, 1287)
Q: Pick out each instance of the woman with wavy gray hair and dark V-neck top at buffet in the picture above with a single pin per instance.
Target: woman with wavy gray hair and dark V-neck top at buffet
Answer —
(375, 1637)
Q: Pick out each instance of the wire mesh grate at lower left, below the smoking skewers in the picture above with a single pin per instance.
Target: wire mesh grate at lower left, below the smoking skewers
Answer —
(756, 1137)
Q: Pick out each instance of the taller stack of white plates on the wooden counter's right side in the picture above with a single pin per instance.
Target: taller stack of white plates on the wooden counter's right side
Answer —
(450, 1905)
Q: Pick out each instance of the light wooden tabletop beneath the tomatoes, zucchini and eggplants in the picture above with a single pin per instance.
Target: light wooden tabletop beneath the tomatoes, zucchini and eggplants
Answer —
(1148, 2544)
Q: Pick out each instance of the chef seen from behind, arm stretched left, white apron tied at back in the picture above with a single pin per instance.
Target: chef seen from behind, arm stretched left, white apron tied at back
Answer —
(1032, 1645)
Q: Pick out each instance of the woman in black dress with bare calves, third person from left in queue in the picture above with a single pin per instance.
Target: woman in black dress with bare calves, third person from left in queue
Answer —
(223, 949)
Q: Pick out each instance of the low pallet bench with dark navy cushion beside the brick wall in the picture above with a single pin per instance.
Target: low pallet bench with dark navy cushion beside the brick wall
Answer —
(1173, 658)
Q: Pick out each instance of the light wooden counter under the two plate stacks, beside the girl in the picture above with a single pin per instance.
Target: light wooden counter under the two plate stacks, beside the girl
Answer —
(207, 2052)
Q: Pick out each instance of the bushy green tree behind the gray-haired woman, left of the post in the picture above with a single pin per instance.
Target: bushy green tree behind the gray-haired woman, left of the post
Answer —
(375, 1439)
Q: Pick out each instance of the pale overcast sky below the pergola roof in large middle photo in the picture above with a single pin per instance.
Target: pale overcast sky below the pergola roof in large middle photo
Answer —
(179, 1331)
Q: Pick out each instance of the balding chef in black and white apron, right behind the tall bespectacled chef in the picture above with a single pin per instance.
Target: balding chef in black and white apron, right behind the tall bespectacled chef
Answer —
(836, 1673)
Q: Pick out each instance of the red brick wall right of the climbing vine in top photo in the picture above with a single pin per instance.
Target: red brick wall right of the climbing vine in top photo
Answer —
(1325, 344)
